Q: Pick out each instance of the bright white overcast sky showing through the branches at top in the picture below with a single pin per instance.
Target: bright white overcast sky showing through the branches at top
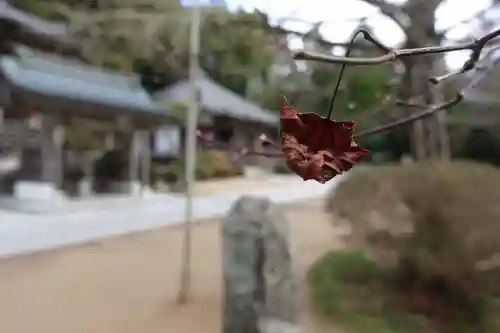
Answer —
(337, 12)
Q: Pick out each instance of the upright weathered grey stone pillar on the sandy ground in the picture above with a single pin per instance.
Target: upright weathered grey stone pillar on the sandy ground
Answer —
(260, 288)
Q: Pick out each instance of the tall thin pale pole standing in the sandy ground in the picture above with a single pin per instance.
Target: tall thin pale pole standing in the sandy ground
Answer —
(192, 120)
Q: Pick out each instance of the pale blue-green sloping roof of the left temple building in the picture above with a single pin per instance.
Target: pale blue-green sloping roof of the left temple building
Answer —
(60, 79)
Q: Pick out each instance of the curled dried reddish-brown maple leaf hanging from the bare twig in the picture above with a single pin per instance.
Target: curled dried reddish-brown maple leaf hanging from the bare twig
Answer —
(315, 147)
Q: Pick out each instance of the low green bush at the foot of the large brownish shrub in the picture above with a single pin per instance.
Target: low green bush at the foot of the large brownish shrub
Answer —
(346, 287)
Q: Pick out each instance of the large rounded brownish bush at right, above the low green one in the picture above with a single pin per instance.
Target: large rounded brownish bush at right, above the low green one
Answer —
(436, 224)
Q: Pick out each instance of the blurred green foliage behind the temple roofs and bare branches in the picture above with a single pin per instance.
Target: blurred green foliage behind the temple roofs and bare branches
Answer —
(151, 37)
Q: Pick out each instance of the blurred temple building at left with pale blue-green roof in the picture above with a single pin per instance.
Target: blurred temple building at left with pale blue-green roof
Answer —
(47, 96)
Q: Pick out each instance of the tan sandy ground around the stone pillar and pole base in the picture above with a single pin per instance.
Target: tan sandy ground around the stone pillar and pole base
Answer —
(129, 284)
